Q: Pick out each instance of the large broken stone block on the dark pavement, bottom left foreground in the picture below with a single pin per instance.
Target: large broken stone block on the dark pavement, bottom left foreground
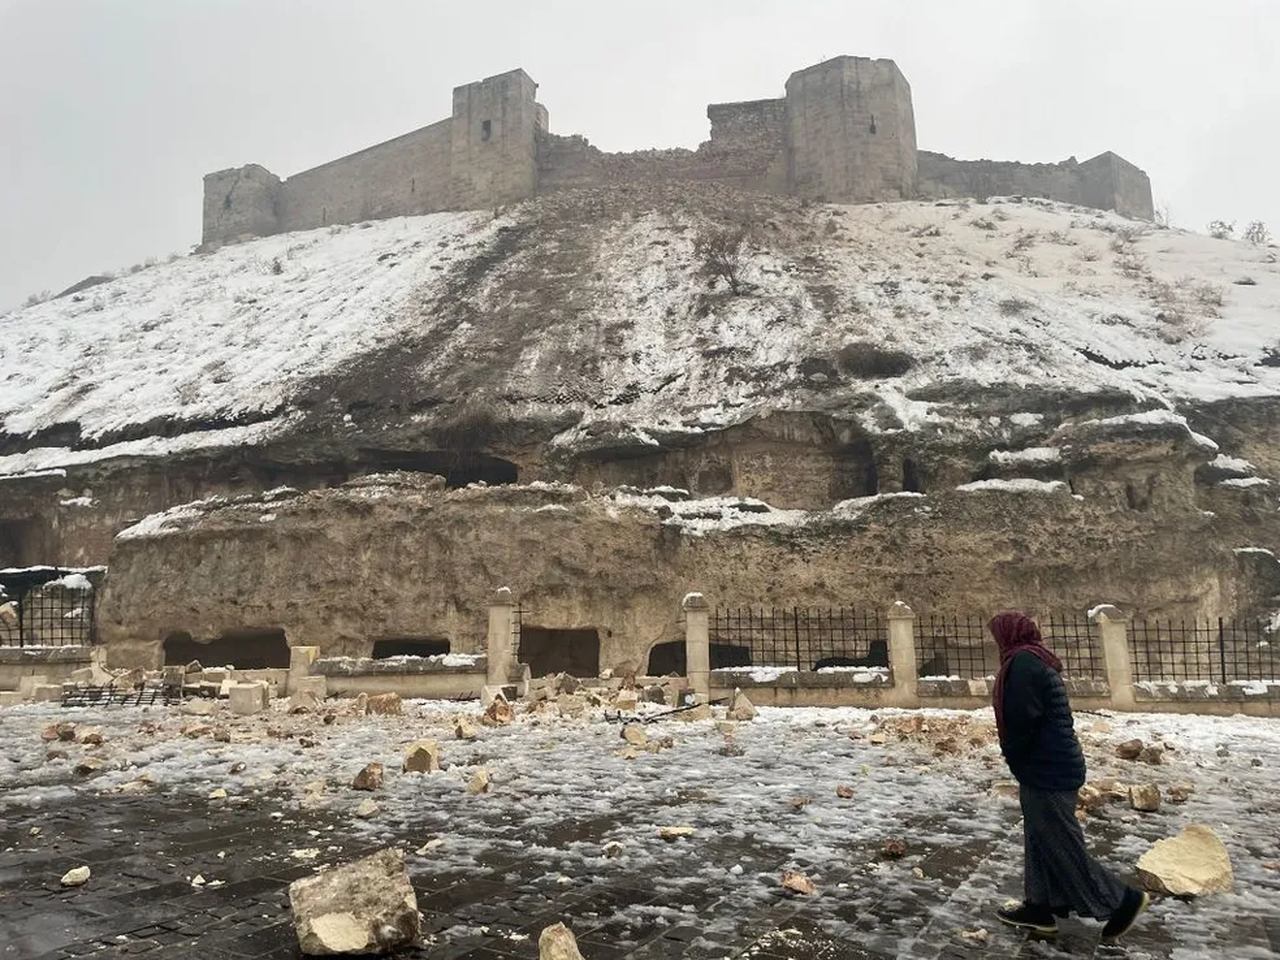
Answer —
(367, 907)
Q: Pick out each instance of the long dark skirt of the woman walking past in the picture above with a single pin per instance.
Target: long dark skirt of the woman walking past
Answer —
(1059, 871)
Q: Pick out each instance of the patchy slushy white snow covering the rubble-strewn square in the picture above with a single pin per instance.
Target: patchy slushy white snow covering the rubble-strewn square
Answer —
(561, 793)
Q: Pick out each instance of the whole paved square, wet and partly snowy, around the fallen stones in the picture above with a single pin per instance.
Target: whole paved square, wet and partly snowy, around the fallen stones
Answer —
(493, 871)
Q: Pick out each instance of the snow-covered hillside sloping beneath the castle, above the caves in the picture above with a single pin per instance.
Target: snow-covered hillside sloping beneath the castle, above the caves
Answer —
(894, 316)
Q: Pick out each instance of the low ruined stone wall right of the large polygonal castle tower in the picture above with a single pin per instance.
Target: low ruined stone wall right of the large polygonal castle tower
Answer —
(1107, 182)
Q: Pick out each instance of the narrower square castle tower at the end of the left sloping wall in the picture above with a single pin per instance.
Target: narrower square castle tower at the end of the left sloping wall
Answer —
(492, 141)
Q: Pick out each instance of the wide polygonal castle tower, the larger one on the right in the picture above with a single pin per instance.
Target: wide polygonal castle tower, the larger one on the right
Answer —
(851, 132)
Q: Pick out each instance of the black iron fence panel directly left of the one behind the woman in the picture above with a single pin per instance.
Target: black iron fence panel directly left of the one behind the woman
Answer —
(804, 638)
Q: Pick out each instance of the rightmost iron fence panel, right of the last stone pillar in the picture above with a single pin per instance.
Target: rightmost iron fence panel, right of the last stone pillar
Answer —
(1213, 651)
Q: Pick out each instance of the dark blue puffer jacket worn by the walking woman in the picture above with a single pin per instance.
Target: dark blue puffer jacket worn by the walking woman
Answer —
(1040, 742)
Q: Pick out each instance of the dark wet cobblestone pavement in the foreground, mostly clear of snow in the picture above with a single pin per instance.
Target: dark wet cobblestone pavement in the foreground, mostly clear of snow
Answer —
(145, 851)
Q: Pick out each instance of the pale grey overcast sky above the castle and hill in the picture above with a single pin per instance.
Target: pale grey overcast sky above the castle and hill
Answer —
(112, 111)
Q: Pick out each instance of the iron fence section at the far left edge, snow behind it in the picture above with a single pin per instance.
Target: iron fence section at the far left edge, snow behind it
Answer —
(47, 607)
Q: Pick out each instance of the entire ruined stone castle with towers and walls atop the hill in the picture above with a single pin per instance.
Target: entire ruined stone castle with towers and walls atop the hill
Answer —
(845, 132)
